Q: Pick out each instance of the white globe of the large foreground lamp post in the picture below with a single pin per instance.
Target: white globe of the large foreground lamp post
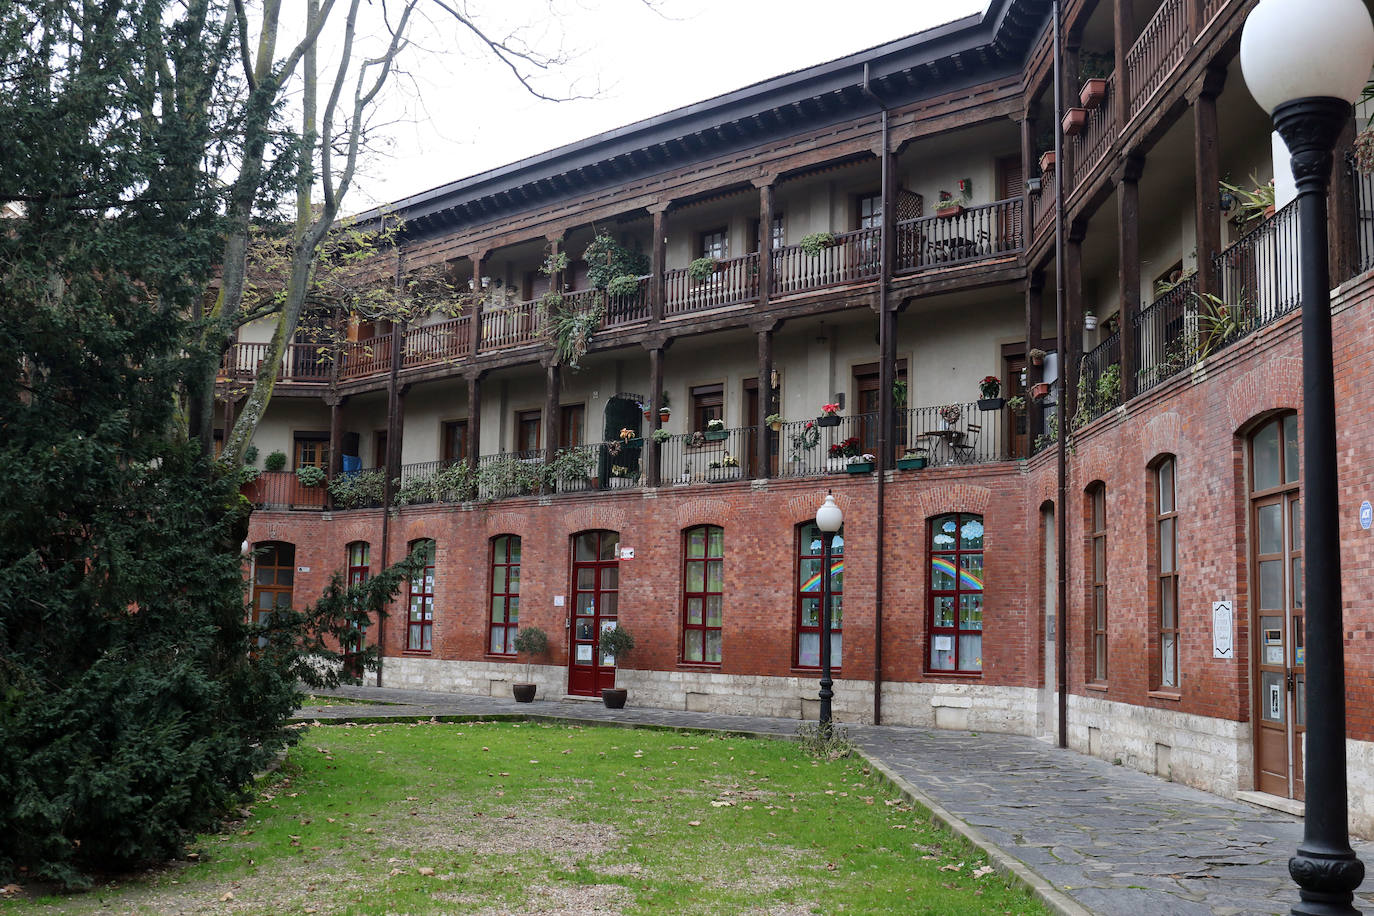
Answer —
(1307, 49)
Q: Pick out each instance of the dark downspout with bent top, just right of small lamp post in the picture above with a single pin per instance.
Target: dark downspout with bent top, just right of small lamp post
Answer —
(886, 407)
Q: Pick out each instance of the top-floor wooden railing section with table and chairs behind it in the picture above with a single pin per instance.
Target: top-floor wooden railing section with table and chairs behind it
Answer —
(976, 234)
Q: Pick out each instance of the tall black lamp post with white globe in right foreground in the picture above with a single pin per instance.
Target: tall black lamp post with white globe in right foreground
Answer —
(1306, 62)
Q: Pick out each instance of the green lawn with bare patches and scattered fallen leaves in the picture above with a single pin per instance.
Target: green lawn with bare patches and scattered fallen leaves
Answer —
(490, 819)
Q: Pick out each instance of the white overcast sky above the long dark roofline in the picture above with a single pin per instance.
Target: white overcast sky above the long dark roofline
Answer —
(457, 113)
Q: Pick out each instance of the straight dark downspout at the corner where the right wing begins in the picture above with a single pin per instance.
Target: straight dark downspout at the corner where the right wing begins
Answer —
(1061, 398)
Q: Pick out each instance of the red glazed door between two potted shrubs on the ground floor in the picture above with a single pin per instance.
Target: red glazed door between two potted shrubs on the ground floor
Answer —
(596, 608)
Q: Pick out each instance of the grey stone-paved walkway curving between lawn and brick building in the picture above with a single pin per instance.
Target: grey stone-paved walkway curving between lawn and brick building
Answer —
(1092, 838)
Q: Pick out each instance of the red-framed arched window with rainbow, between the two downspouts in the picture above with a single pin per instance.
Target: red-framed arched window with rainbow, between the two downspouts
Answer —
(956, 594)
